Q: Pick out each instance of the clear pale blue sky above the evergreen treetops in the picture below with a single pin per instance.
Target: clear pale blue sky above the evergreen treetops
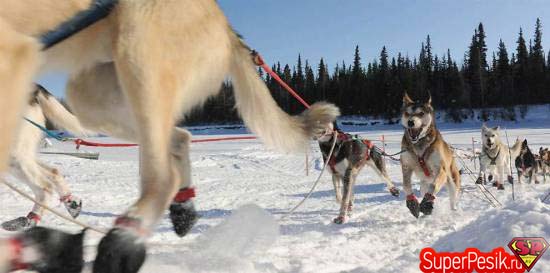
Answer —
(282, 29)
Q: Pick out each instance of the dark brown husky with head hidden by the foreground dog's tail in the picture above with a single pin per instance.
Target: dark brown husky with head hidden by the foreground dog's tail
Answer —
(350, 155)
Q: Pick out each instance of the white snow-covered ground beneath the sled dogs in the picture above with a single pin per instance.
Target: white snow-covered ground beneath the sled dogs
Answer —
(244, 191)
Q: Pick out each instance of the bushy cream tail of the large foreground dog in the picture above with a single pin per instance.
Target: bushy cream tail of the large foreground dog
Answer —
(263, 116)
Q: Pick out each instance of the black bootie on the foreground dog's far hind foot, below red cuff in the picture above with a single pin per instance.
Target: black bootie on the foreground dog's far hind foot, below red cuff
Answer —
(183, 216)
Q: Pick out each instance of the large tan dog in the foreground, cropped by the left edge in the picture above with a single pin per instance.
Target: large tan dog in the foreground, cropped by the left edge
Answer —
(169, 56)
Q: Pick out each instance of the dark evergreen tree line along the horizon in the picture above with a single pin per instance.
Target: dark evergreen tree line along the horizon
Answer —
(494, 83)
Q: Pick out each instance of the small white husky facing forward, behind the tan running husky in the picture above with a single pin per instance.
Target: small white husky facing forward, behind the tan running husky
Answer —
(495, 157)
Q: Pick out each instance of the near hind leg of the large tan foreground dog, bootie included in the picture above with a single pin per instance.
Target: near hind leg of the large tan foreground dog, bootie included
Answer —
(151, 97)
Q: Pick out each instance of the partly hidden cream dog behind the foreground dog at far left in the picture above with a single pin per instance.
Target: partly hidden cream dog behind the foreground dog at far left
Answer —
(41, 178)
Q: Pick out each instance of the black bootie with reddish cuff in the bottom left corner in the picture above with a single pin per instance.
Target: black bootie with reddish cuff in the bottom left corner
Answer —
(53, 251)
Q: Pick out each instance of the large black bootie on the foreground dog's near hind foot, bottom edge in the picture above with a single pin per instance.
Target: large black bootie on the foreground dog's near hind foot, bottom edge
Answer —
(120, 251)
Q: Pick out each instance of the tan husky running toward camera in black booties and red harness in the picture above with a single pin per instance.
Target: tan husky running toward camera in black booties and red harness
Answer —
(426, 155)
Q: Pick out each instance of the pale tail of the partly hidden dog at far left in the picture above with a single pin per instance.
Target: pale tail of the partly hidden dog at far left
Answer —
(58, 114)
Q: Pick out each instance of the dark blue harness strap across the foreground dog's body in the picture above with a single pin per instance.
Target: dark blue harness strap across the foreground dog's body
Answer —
(98, 10)
